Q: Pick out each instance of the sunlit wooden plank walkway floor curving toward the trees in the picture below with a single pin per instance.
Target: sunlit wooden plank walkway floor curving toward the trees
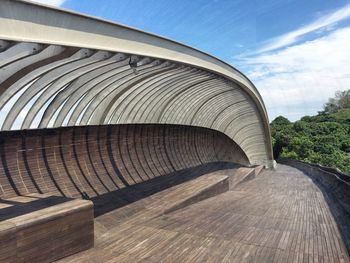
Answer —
(280, 216)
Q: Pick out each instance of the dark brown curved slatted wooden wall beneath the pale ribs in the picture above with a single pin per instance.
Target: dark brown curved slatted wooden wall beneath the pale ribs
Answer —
(94, 160)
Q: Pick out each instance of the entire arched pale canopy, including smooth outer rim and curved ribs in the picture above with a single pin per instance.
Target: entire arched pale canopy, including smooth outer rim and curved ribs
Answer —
(59, 68)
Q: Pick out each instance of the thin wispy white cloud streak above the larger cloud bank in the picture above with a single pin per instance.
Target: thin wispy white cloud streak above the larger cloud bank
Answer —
(322, 23)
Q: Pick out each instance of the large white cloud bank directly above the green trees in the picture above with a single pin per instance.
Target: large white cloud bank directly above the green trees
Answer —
(298, 80)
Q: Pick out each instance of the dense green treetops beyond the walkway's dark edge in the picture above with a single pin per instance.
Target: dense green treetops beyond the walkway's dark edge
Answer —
(322, 139)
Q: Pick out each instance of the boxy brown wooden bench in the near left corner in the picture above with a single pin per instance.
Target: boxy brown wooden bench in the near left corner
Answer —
(44, 228)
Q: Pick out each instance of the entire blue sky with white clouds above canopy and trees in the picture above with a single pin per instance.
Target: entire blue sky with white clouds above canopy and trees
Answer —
(296, 52)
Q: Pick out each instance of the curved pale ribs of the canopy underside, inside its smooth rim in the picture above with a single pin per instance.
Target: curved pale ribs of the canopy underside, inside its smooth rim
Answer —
(45, 86)
